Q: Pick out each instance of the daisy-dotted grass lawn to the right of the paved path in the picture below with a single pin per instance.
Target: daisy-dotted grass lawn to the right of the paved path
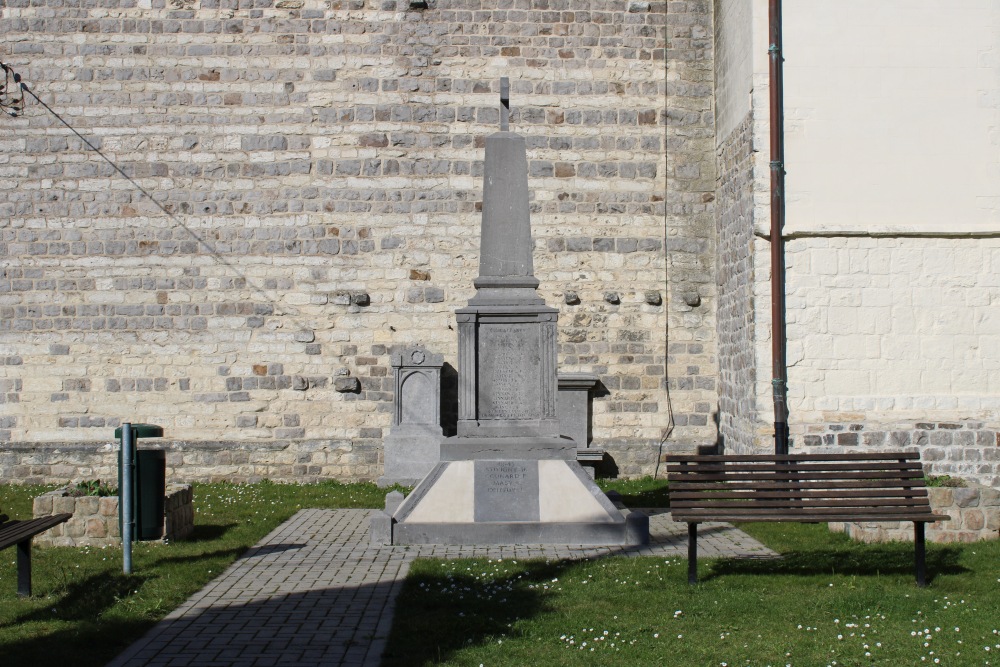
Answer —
(828, 601)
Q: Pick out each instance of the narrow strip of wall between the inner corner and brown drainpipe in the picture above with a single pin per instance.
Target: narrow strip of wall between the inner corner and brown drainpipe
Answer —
(743, 263)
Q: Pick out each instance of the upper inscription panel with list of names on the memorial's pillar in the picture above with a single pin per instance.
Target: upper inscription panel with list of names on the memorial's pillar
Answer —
(509, 358)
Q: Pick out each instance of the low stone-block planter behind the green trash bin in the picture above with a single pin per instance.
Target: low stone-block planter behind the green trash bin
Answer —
(95, 520)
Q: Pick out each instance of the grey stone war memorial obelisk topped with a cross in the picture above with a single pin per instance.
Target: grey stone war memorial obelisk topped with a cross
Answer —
(507, 476)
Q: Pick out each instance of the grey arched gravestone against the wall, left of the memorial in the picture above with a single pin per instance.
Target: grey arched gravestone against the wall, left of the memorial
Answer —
(412, 448)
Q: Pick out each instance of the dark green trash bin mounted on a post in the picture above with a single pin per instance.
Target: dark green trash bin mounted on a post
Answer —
(149, 483)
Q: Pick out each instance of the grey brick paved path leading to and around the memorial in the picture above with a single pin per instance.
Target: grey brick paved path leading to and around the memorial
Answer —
(314, 592)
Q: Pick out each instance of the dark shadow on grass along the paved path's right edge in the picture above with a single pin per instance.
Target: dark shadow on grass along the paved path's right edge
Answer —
(438, 614)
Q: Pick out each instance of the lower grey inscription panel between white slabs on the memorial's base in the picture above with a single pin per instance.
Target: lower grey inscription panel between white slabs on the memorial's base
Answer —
(506, 491)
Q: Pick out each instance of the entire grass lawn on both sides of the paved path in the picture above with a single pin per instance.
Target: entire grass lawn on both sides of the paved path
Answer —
(827, 601)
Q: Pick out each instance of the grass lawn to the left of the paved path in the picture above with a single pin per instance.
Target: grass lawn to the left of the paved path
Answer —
(84, 611)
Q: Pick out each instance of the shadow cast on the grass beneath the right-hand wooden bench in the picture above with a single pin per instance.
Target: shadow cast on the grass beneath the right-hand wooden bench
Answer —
(866, 562)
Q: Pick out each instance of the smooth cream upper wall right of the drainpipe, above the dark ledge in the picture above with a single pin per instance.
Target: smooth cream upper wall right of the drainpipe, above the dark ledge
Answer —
(893, 115)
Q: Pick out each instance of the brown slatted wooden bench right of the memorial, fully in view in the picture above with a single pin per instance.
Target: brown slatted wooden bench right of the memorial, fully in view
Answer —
(807, 488)
